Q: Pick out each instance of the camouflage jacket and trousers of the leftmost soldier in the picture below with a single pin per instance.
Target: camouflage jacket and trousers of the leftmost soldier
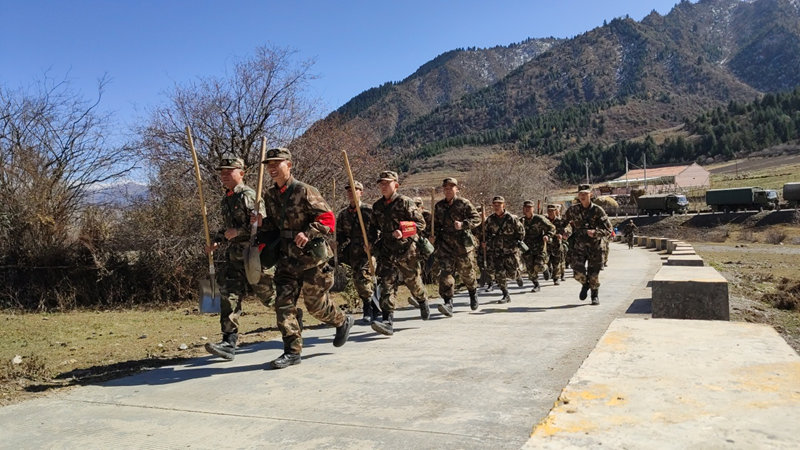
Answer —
(237, 206)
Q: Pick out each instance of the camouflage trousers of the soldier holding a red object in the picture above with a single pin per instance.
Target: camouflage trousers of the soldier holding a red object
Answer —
(391, 269)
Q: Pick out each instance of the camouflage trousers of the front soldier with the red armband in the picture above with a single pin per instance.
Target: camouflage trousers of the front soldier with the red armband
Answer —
(314, 284)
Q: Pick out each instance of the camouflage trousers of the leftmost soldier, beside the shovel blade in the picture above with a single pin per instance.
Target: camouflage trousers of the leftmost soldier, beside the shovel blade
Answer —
(232, 282)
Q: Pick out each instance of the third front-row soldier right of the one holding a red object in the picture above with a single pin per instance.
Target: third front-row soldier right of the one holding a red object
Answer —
(538, 232)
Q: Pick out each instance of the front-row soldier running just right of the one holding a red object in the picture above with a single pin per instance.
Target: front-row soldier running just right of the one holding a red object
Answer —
(454, 219)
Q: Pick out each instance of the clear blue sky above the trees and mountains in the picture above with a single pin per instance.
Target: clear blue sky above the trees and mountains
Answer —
(147, 46)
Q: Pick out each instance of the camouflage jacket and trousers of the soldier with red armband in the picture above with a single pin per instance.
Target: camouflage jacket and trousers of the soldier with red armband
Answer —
(298, 270)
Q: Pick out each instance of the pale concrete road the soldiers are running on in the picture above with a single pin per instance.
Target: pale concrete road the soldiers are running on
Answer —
(481, 379)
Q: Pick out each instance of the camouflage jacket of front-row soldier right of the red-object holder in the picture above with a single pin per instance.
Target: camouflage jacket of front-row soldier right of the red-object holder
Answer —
(449, 240)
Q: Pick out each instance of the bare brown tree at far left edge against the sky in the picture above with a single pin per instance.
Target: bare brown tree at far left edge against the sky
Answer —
(53, 150)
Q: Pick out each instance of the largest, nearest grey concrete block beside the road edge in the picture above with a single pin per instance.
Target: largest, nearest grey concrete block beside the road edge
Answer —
(687, 292)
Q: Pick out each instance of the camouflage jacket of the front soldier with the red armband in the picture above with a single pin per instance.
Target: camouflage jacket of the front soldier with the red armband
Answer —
(304, 207)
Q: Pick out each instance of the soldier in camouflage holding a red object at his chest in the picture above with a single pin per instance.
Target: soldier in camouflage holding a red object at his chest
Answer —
(396, 222)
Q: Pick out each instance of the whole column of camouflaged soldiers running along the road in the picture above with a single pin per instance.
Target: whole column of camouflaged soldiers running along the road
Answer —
(296, 228)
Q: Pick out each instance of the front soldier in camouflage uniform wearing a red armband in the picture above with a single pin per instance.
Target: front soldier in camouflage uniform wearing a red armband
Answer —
(305, 222)
